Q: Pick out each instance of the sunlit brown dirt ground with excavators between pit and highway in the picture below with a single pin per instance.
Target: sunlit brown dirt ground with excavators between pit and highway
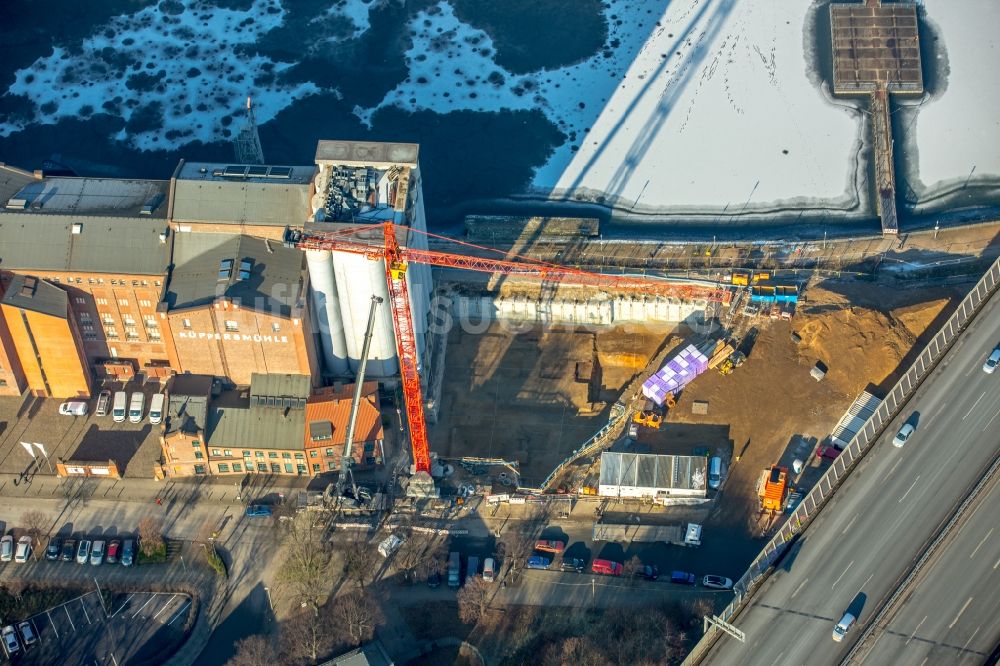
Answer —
(866, 334)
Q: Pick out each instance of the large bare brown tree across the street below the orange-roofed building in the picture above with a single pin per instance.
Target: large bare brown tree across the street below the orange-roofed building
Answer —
(307, 563)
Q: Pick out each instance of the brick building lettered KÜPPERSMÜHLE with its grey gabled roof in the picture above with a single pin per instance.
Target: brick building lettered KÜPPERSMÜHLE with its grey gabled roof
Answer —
(236, 306)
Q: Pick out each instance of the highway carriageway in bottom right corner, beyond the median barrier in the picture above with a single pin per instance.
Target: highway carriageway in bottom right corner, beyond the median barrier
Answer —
(952, 614)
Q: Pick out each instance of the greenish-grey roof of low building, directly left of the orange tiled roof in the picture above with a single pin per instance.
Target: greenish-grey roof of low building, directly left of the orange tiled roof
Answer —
(234, 422)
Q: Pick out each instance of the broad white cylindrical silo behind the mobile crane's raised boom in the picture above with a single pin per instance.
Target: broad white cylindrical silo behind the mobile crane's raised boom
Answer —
(359, 279)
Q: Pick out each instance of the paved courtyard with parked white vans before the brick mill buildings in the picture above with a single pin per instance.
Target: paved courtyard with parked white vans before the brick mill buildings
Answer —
(133, 446)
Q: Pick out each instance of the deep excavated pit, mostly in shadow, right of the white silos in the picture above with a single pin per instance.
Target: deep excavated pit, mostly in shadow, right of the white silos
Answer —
(518, 394)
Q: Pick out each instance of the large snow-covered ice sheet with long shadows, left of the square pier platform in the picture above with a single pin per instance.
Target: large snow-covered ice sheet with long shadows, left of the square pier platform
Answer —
(703, 103)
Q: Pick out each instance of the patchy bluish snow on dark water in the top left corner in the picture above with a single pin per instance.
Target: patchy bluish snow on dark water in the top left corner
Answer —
(171, 75)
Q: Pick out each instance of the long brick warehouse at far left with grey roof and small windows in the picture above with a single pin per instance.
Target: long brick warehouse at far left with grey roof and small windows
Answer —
(103, 242)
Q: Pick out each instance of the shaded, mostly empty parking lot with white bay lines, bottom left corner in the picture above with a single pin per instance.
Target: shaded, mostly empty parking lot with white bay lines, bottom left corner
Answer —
(134, 628)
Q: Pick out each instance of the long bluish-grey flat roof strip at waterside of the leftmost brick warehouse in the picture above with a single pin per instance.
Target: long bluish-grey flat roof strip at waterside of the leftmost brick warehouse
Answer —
(112, 197)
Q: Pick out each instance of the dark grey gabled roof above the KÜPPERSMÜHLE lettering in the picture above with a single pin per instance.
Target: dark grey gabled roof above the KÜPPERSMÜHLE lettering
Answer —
(273, 281)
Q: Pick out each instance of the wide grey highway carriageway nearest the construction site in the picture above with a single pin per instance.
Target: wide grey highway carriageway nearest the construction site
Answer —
(877, 524)
